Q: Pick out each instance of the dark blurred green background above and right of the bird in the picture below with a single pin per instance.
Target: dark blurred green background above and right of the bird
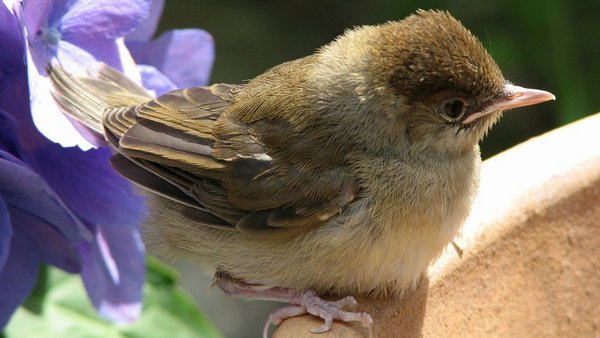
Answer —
(552, 45)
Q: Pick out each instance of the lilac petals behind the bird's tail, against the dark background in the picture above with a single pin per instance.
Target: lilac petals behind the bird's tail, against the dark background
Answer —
(160, 56)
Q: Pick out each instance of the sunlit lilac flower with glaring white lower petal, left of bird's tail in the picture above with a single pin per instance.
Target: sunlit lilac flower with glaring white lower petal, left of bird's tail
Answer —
(77, 33)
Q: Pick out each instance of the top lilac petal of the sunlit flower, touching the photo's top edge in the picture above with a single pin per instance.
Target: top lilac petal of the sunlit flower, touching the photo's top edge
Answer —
(102, 19)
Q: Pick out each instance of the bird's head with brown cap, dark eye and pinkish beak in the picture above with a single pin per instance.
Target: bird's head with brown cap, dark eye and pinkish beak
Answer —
(425, 81)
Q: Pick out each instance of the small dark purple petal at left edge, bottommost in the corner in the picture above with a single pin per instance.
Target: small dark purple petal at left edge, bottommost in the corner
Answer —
(19, 274)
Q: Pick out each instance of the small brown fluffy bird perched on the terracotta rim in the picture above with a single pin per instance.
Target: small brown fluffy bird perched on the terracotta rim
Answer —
(346, 172)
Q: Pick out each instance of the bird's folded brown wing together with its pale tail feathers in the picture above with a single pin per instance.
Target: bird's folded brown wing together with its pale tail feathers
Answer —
(214, 154)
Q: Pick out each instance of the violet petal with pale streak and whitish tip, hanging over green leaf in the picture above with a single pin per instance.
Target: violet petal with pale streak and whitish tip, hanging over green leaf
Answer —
(114, 273)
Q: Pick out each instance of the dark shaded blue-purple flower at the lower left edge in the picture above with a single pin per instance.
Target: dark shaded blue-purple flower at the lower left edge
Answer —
(35, 225)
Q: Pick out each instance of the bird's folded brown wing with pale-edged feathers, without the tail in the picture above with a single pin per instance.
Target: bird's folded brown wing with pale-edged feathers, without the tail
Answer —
(181, 147)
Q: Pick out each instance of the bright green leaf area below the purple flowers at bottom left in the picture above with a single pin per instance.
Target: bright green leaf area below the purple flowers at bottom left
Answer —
(59, 307)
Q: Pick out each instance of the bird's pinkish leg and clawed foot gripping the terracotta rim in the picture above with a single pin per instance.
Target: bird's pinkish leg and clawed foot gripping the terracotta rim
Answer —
(302, 302)
